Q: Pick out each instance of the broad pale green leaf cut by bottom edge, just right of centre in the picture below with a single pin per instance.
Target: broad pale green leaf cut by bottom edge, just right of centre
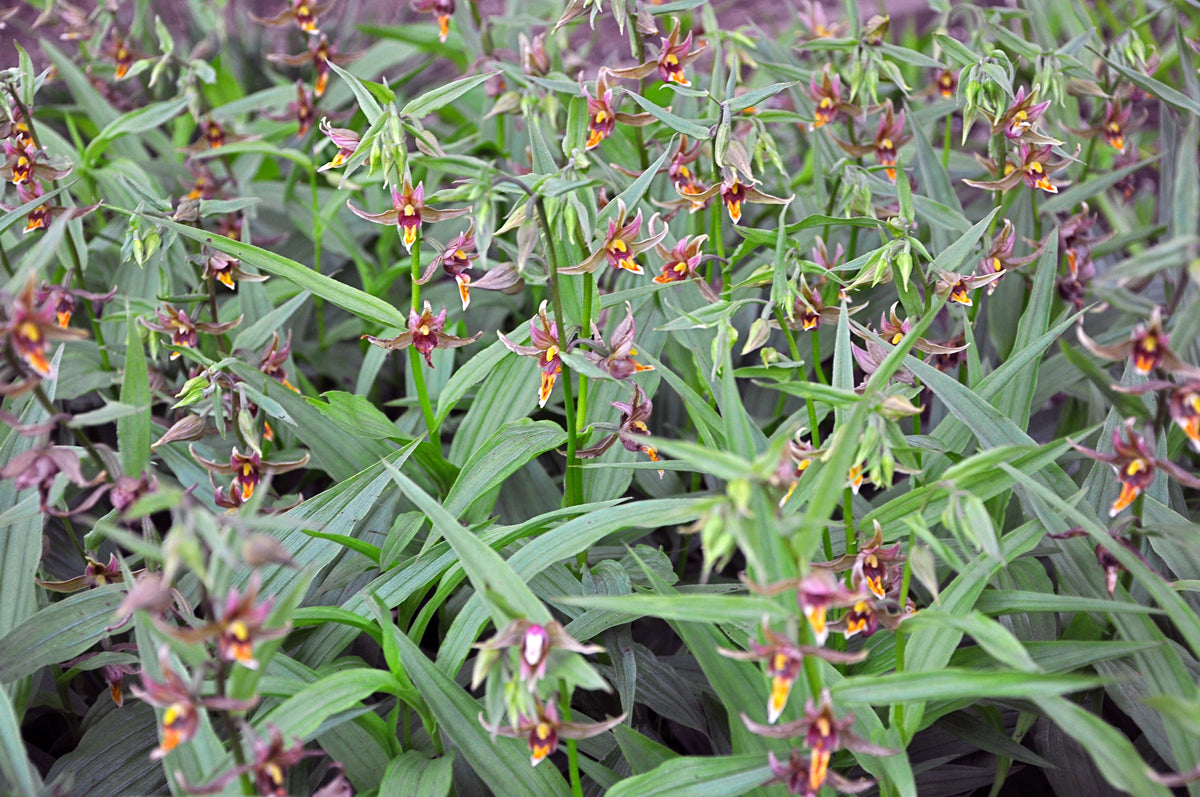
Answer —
(728, 776)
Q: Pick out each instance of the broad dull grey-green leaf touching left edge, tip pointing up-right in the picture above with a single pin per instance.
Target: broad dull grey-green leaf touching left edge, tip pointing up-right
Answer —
(61, 632)
